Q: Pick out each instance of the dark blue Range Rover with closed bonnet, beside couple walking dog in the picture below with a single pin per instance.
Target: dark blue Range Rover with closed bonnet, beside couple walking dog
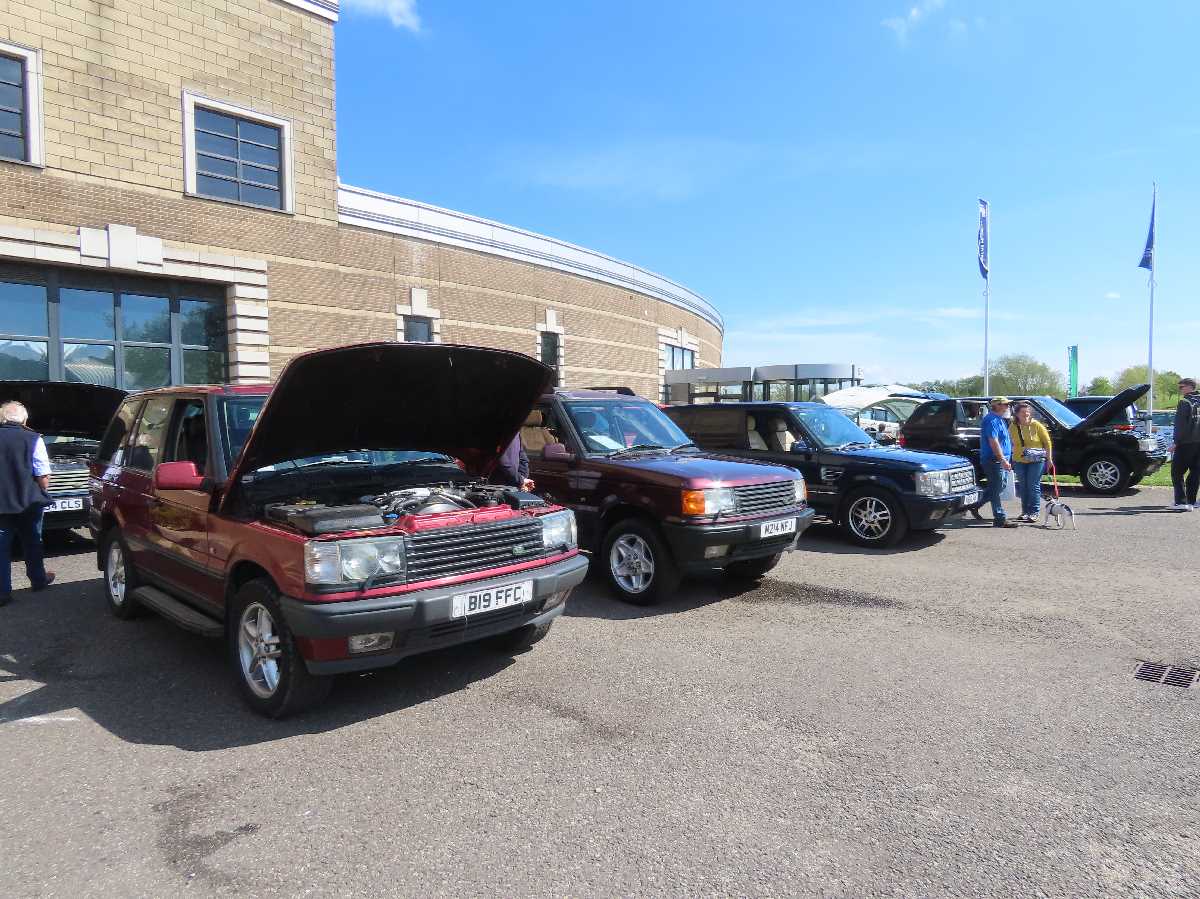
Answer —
(877, 494)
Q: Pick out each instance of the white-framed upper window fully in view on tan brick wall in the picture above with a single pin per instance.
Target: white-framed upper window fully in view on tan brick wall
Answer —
(237, 155)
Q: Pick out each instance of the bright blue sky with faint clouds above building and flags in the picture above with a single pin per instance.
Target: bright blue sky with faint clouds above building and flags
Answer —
(813, 169)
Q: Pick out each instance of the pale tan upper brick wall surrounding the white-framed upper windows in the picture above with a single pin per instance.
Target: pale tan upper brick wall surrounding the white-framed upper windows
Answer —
(116, 73)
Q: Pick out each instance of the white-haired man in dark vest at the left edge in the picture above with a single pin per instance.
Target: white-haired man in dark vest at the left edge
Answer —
(25, 480)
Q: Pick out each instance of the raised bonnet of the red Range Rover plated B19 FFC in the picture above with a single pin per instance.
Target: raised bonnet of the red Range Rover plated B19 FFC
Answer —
(464, 401)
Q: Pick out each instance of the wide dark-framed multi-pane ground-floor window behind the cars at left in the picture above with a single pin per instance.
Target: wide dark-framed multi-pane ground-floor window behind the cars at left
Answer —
(121, 333)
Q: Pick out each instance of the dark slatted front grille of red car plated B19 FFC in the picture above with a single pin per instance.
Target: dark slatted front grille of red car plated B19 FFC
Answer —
(446, 553)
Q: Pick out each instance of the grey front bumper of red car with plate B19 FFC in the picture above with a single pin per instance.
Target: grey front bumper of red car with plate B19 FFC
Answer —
(422, 620)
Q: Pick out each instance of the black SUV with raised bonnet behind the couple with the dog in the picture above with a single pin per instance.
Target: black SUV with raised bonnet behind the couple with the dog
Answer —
(1106, 456)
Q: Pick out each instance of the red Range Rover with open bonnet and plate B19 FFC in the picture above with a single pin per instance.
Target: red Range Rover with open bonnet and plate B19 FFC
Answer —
(338, 522)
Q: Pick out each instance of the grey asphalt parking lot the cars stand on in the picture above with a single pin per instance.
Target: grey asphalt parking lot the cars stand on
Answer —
(958, 716)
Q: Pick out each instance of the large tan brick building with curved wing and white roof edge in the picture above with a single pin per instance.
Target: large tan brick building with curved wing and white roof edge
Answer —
(171, 213)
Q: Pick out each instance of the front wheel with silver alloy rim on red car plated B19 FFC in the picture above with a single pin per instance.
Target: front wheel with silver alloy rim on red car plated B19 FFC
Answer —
(279, 684)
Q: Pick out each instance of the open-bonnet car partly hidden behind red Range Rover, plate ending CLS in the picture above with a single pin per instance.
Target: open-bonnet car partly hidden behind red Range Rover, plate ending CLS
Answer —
(71, 419)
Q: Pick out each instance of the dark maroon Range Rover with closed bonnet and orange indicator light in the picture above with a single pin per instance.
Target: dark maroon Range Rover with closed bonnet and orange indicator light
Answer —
(650, 505)
